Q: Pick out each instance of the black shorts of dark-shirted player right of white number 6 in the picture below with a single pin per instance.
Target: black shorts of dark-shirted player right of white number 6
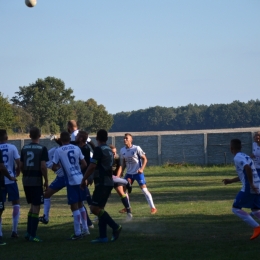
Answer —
(100, 195)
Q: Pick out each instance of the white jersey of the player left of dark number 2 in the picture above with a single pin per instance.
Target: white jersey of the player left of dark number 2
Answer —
(10, 154)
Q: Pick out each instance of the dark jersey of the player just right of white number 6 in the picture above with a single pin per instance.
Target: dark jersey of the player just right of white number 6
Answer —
(103, 158)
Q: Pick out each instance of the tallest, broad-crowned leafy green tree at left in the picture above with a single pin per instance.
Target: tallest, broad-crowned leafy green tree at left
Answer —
(45, 100)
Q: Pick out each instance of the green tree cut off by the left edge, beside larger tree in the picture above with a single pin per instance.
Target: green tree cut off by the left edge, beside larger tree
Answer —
(6, 113)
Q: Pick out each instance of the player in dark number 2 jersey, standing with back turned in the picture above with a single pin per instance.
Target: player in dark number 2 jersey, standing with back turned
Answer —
(33, 166)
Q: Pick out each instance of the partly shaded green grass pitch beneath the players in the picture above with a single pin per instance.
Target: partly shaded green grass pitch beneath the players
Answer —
(194, 221)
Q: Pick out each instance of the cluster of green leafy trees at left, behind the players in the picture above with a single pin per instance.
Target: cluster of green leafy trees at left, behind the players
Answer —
(48, 105)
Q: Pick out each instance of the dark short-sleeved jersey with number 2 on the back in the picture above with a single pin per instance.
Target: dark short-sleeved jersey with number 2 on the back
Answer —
(31, 156)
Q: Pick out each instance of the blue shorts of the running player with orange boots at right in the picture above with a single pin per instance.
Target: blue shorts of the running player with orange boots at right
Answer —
(247, 200)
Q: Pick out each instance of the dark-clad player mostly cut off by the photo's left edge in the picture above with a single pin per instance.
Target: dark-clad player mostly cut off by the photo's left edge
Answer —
(3, 172)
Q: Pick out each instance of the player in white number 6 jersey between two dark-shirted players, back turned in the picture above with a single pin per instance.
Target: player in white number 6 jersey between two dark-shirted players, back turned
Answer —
(70, 158)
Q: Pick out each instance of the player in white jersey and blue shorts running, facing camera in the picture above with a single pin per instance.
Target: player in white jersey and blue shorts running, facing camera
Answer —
(134, 159)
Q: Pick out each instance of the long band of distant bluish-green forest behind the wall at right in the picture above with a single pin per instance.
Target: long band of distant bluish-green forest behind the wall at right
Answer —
(191, 117)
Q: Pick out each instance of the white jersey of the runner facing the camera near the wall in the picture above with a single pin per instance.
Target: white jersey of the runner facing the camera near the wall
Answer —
(132, 157)
